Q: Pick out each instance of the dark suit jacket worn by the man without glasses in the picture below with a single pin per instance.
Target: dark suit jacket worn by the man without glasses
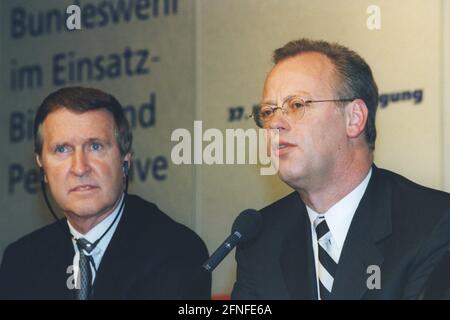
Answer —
(150, 256)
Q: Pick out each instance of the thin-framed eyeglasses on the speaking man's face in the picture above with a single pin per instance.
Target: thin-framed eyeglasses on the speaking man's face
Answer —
(294, 106)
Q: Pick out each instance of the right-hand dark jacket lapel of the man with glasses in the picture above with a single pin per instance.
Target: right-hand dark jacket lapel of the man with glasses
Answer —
(371, 223)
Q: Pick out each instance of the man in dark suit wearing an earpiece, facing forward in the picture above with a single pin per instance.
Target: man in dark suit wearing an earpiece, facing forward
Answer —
(111, 245)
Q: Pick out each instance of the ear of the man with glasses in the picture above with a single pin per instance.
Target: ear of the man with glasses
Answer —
(356, 114)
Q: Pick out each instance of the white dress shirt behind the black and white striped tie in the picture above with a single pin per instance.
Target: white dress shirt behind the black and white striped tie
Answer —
(338, 218)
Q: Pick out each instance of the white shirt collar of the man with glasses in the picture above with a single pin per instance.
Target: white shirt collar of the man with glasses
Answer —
(340, 215)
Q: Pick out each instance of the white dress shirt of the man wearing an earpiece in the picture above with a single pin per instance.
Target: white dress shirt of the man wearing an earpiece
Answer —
(92, 236)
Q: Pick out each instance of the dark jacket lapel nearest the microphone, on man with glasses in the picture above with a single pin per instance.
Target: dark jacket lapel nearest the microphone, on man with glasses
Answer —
(297, 259)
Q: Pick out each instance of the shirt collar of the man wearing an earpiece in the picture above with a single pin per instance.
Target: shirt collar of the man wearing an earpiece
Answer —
(96, 232)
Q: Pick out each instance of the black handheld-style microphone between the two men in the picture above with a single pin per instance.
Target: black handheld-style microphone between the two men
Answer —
(246, 227)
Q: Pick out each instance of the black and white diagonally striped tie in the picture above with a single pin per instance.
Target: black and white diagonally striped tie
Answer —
(327, 265)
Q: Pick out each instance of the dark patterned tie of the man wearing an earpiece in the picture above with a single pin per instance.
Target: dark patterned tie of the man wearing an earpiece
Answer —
(85, 274)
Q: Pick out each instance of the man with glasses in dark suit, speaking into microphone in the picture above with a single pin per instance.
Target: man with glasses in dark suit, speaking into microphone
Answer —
(350, 230)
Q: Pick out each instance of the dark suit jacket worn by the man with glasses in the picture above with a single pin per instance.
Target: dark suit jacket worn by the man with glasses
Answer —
(400, 226)
